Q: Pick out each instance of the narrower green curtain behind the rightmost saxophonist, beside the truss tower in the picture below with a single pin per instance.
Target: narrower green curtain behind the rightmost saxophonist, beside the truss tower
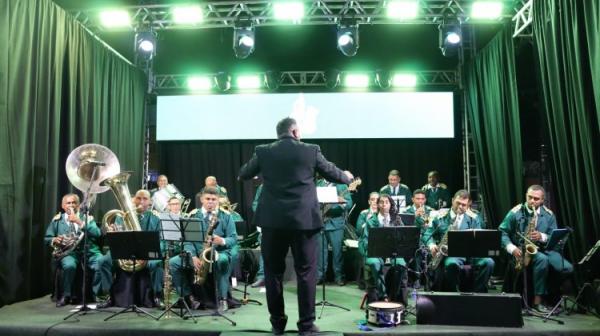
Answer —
(493, 111)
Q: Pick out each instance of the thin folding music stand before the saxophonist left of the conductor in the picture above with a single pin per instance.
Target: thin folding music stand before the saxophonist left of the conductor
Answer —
(178, 229)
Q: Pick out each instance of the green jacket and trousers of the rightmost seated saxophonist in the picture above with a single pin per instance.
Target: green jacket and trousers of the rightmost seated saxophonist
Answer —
(517, 220)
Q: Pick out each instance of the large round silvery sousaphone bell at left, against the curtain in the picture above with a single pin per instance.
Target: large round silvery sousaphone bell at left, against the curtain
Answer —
(80, 167)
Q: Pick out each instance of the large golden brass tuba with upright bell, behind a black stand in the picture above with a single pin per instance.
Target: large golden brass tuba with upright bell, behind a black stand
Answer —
(118, 185)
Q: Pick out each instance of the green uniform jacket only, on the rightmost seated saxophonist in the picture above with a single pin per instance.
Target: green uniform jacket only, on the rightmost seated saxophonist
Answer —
(518, 219)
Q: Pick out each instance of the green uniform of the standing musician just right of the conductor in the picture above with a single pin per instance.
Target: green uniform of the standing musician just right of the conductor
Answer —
(334, 221)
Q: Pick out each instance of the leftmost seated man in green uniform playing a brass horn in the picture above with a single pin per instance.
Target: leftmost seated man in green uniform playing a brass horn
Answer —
(66, 227)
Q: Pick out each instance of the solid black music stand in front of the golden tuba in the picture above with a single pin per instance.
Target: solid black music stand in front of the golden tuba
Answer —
(134, 245)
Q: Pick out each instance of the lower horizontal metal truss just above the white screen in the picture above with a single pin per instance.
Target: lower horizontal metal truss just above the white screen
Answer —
(429, 78)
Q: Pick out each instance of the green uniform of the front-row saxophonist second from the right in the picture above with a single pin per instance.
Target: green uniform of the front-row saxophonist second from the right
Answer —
(452, 265)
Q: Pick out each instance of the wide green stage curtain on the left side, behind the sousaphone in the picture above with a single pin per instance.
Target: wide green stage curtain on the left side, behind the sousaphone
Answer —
(59, 88)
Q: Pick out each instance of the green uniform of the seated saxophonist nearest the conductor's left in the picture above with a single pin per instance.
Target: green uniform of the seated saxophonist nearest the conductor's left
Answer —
(225, 229)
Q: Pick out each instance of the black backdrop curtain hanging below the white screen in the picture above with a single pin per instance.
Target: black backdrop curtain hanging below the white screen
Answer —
(188, 163)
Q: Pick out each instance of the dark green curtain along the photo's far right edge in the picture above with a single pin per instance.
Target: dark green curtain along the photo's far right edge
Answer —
(566, 34)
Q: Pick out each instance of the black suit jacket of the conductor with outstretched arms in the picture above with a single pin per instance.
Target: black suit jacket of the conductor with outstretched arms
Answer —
(289, 196)
